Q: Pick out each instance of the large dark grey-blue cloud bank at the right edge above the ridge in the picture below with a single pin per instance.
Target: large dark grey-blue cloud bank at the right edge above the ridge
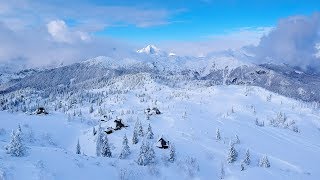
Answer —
(293, 41)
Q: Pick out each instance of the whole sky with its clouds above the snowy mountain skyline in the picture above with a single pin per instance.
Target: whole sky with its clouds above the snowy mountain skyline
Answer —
(79, 29)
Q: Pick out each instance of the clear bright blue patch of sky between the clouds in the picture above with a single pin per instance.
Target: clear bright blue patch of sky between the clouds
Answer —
(193, 20)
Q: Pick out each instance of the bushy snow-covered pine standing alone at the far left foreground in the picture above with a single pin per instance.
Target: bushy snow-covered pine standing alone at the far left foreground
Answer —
(16, 146)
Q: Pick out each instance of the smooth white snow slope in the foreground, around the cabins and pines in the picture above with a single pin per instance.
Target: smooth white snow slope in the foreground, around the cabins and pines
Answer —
(189, 119)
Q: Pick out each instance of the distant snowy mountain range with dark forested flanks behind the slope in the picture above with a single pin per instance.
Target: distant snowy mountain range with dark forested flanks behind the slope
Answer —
(220, 68)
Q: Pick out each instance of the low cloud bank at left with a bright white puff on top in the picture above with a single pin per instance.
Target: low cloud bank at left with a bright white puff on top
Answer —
(36, 47)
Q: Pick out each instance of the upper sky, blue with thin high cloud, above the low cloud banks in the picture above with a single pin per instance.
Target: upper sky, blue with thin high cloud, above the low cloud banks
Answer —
(155, 21)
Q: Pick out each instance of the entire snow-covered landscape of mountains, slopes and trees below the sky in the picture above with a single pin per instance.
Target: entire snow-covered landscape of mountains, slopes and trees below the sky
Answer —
(219, 117)
